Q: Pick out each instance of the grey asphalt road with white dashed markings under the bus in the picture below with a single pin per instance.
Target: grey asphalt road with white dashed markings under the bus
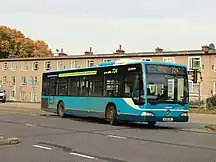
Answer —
(49, 138)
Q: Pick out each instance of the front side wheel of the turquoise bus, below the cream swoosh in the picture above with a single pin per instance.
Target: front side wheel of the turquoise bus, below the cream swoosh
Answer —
(111, 114)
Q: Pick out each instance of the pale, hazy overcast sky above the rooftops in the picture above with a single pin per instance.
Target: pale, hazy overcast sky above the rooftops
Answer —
(138, 25)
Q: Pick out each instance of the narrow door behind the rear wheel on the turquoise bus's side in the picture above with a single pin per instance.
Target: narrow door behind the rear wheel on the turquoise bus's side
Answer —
(52, 93)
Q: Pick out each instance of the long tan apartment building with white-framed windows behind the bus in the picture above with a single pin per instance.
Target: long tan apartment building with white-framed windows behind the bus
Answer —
(21, 78)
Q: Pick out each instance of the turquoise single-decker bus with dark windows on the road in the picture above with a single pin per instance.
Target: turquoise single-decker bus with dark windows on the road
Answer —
(122, 90)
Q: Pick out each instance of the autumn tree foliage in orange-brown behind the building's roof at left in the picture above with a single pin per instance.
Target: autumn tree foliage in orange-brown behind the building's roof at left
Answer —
(16, 44)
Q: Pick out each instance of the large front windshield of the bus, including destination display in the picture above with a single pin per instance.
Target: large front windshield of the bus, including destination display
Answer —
(167, 84)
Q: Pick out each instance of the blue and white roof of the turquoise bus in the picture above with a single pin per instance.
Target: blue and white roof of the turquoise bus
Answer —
(119, 62)
